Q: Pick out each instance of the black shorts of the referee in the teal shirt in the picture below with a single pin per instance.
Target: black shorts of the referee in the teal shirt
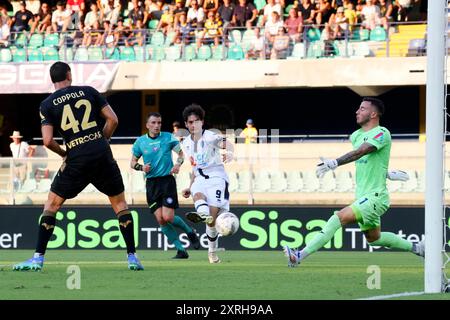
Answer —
(162, 191)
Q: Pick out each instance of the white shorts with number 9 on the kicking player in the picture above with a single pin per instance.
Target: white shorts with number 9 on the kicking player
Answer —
(215, 189)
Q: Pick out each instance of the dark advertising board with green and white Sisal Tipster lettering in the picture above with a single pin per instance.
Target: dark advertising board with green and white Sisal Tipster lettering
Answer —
(261, 228)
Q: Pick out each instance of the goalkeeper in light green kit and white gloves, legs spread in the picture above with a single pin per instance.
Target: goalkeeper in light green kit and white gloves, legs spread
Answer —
(372, 147)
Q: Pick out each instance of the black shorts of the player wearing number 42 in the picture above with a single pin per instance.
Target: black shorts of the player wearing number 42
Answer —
(74, 175)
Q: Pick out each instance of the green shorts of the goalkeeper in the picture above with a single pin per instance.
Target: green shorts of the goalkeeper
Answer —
(369, 209)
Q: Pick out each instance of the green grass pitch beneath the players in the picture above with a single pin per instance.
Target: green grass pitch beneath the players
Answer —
(251, 275)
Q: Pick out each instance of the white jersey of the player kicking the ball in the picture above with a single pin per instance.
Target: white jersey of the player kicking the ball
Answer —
(205, 156)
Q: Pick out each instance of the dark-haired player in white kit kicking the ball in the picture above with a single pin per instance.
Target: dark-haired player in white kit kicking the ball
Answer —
(209, 182)
